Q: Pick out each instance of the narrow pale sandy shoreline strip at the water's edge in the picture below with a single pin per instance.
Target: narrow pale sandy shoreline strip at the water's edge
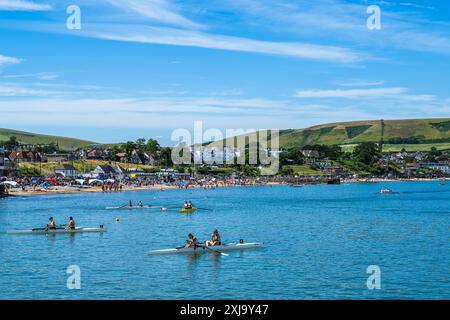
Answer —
(58, 190)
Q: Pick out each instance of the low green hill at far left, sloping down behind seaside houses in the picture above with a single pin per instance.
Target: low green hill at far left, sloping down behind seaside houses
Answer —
(33, 138)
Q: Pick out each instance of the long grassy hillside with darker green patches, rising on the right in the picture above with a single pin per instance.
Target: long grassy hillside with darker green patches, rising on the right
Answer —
(426, 131)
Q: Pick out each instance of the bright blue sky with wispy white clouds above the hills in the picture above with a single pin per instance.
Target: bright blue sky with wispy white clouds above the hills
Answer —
(141, 68)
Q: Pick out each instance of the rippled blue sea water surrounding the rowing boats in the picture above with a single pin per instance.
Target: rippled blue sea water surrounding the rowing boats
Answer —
(319, 242)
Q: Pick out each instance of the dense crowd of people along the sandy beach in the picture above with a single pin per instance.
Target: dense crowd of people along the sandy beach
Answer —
(37, 185)
